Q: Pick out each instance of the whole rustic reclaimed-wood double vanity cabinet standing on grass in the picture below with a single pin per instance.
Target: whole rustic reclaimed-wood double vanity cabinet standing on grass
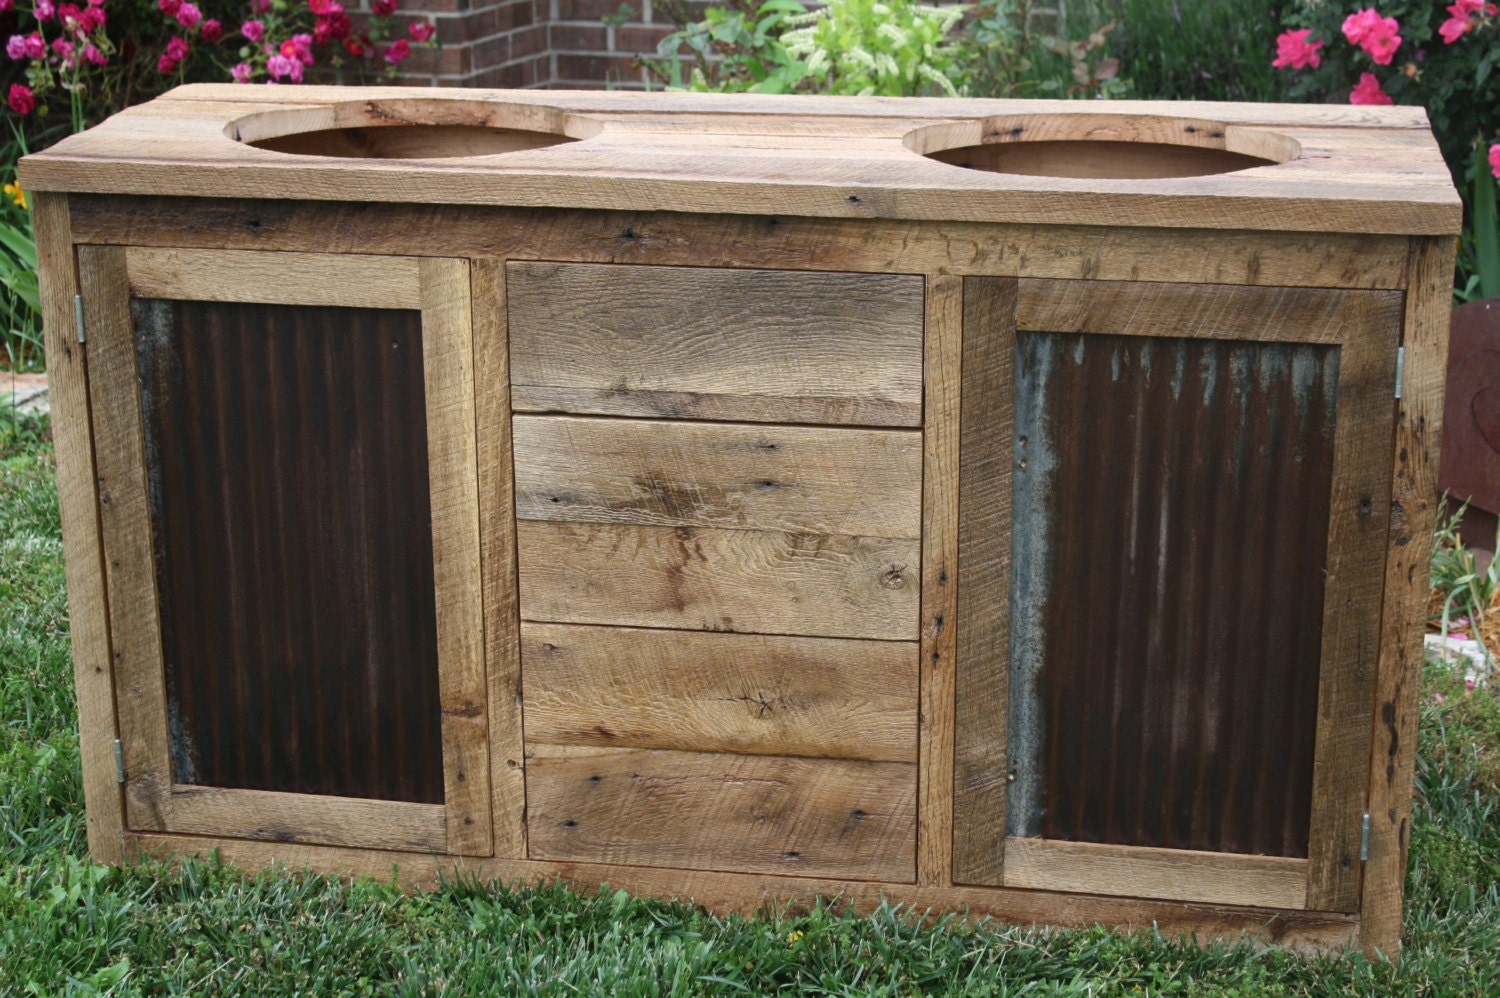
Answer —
(1001, 507)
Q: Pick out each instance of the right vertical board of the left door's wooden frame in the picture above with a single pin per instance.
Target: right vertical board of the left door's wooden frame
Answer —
(448, 355)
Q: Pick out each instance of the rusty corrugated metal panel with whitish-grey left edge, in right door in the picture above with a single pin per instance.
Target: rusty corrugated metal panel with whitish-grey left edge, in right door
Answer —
(1169, 540)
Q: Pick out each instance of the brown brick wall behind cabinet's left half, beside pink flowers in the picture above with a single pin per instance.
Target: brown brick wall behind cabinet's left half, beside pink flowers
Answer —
(559, 44)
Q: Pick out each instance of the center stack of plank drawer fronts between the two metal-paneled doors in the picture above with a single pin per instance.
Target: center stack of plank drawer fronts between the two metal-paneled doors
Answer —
(719, 516)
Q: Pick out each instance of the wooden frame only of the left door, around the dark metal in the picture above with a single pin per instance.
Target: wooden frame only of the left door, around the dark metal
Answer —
(440, 289)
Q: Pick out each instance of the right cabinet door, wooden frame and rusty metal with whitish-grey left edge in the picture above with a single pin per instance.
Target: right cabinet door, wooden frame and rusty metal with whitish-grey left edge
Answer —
(1174, 504)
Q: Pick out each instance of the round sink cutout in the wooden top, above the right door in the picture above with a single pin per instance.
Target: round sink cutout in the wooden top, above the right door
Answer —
(1102, 148)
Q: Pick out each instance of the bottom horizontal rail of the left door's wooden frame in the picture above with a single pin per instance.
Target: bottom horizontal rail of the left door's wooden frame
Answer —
(274, 817)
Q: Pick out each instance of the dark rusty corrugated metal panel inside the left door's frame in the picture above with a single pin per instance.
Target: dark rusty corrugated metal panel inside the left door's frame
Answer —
(289, 482)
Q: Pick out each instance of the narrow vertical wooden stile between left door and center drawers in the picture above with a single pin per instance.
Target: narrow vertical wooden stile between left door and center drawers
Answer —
(499, 558)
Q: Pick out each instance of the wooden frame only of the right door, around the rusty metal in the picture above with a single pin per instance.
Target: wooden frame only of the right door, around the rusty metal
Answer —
(1366, 326)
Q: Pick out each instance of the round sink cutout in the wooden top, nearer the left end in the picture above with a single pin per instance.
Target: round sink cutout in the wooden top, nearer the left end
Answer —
(412, 130)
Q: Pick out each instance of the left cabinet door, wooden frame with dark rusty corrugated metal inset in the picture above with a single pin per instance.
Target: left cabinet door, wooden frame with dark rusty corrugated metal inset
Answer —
(290, 517)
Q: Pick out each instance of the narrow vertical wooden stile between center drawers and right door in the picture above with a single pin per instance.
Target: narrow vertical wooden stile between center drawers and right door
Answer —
(943, 347)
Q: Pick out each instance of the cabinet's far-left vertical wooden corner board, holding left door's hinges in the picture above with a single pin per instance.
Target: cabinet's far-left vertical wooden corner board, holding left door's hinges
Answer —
(83, 553)
